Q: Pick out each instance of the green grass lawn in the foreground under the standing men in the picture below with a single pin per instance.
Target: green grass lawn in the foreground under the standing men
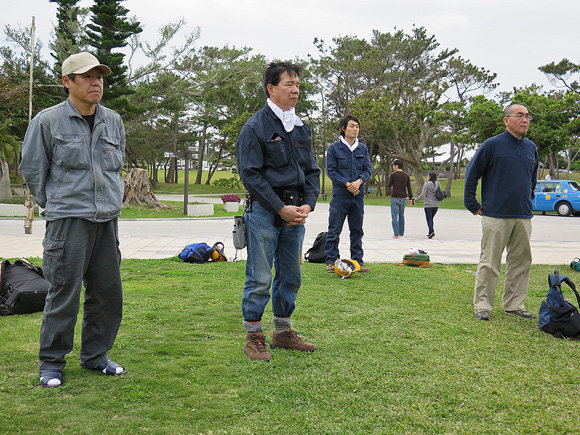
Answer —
(399, 352)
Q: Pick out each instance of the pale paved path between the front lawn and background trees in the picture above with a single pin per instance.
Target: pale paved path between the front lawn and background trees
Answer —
(555, 240)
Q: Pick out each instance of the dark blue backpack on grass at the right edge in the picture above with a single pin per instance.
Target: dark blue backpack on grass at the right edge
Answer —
(558, 316)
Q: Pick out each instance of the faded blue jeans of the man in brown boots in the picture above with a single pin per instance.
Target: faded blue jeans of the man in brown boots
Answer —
(267, 245)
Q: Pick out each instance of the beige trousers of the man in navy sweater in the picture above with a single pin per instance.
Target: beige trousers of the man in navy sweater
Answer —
(514, 236)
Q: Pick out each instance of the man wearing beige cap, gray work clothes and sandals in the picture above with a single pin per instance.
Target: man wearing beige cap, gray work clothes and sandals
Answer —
(72, 158)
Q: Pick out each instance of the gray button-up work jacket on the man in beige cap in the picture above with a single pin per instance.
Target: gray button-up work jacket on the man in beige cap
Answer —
(71, 171)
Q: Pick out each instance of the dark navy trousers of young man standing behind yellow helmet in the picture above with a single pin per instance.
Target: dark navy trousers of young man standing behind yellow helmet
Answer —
(342, 207)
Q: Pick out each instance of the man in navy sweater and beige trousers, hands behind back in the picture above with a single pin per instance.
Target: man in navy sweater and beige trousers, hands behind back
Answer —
(507, 165)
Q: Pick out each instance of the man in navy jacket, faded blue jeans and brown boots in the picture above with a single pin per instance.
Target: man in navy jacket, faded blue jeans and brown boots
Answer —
(278, 169)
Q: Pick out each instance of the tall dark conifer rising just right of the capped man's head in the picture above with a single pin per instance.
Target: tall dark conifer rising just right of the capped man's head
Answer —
(110, 30)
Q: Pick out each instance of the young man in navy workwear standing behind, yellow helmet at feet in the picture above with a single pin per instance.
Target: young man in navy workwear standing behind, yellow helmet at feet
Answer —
(348, 165)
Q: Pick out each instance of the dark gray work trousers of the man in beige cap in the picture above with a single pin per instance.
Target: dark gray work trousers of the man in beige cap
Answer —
(76, 252)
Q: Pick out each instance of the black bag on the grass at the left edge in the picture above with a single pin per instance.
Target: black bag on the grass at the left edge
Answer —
(23, 288)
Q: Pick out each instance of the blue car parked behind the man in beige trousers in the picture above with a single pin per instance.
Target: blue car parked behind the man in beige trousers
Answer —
(561, 196)
